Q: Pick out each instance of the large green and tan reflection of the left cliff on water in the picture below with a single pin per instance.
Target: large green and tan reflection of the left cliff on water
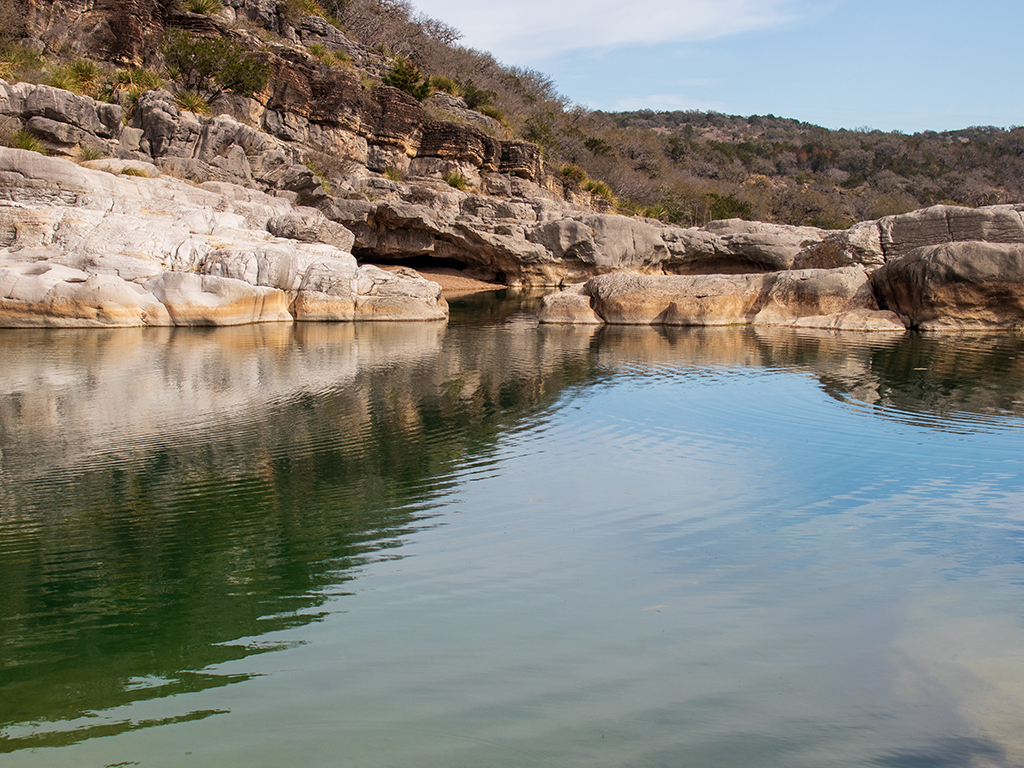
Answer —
(169, 497)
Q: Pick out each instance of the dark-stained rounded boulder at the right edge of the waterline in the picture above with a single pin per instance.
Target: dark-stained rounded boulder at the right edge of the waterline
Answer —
(958, 286)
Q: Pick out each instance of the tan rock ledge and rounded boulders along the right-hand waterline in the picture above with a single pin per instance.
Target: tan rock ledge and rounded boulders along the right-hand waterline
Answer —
(941, 269)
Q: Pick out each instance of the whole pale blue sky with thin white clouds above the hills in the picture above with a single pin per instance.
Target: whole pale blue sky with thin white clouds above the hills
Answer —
(899, 65)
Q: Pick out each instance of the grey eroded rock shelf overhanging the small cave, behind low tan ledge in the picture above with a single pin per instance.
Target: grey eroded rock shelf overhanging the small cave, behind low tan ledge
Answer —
(535, 239)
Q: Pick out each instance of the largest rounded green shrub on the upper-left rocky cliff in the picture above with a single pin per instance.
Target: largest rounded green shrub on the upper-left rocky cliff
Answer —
(211, 66)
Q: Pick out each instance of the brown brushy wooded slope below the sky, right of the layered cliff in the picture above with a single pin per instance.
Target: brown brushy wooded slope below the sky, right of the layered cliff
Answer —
(692, 167)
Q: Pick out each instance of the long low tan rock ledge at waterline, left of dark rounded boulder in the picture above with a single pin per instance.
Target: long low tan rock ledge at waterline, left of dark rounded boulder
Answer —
(840, 300)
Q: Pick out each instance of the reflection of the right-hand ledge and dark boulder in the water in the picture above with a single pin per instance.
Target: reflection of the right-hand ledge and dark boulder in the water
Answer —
(926, 378)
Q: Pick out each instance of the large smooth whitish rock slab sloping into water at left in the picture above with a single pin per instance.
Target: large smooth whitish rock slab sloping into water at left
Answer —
(88, 248)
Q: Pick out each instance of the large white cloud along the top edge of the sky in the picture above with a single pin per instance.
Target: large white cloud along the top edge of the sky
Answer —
(524, 31)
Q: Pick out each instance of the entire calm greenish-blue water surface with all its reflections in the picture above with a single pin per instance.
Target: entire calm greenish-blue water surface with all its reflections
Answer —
(494, 544)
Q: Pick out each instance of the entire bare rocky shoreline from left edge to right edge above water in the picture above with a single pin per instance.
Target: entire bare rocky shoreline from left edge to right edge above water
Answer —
(194, 221)
